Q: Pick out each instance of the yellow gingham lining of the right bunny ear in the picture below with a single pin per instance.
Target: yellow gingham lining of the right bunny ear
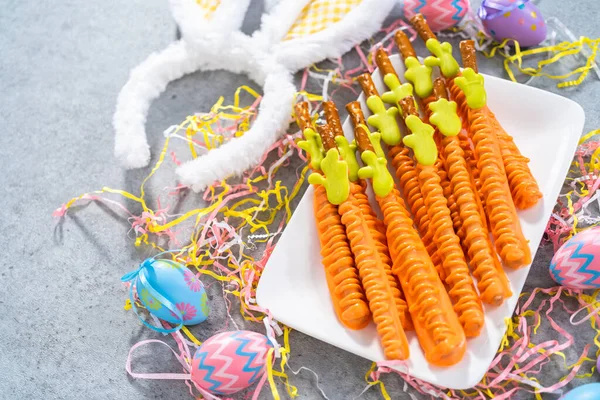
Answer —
(318, 15)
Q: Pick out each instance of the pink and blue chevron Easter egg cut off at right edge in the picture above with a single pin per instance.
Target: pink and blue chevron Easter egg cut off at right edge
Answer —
(576, 265)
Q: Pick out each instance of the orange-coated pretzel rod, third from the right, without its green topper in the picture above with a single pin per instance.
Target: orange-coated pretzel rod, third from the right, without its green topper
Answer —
(492, 281)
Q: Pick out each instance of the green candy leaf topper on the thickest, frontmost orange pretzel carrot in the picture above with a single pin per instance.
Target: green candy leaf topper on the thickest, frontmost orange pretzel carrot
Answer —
(376, 163)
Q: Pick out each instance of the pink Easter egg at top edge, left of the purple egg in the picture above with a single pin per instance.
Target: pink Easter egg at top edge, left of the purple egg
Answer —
(440, 14)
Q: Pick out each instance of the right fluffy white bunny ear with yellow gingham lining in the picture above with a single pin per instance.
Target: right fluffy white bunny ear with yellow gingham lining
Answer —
(328, 29)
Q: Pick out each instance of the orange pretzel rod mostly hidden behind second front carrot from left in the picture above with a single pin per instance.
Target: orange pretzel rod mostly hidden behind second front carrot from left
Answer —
(376, 226)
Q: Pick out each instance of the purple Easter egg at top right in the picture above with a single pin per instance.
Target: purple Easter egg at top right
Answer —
(513, 19)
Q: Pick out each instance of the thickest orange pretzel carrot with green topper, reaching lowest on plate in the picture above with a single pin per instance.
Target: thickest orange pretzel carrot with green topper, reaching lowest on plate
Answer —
(438, 329)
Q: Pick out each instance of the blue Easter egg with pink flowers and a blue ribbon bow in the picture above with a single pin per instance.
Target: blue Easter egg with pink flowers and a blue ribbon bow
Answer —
(165, 288)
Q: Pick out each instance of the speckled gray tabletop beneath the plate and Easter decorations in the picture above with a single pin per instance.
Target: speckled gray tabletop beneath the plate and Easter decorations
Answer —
(63, 331)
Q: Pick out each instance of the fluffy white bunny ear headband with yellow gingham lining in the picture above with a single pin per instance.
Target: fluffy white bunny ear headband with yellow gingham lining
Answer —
(293, 35)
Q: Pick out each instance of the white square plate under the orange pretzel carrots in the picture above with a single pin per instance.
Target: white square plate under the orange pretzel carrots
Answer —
(545, 126)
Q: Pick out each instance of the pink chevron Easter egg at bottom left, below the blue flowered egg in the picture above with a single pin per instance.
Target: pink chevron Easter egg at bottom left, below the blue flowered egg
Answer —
(230, 361)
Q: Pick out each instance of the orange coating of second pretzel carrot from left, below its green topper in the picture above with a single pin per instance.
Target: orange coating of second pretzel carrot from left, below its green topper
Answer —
(374, 280)
